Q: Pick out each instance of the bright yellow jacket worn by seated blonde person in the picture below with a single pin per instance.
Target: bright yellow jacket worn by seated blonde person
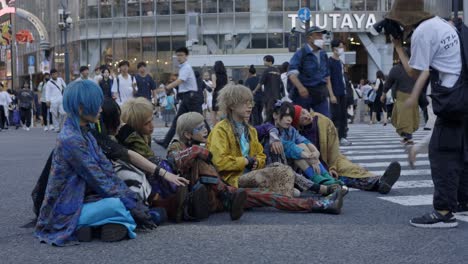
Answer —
(227, 155)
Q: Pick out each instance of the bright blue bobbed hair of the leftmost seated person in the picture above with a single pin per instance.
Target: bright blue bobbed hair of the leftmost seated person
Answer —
(86, 94)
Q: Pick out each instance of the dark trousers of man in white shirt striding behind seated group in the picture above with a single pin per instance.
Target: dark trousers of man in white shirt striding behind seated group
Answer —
(190, 102)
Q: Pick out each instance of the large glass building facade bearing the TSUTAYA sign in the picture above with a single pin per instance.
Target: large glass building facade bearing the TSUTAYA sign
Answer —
(240, 32)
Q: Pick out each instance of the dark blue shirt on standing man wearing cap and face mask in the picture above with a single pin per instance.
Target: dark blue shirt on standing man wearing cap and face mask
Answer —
(312, 74)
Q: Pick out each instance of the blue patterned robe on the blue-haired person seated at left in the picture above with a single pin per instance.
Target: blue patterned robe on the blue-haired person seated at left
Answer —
(78, 166)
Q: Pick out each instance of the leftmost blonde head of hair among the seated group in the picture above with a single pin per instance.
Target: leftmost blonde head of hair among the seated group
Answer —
(136, 111)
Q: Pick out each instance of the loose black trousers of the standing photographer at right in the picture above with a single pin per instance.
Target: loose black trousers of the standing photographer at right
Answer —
(448, 166)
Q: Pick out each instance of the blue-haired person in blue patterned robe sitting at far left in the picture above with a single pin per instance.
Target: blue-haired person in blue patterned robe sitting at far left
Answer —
(84, 198)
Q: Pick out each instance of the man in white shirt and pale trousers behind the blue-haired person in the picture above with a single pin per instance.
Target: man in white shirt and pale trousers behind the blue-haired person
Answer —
(54, 89)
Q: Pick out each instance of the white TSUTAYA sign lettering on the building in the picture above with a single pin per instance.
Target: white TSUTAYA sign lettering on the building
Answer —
(340, 21)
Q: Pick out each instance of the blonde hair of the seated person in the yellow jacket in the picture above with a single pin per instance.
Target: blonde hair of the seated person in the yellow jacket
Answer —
(233, 95)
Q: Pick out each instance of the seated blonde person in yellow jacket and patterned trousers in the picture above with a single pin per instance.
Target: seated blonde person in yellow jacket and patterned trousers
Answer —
(240, 161)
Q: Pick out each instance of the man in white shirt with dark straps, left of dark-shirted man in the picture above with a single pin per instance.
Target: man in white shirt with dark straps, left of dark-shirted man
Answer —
(124, 86)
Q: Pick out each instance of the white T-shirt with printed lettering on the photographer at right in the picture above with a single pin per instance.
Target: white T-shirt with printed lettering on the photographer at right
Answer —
(435, 44)
